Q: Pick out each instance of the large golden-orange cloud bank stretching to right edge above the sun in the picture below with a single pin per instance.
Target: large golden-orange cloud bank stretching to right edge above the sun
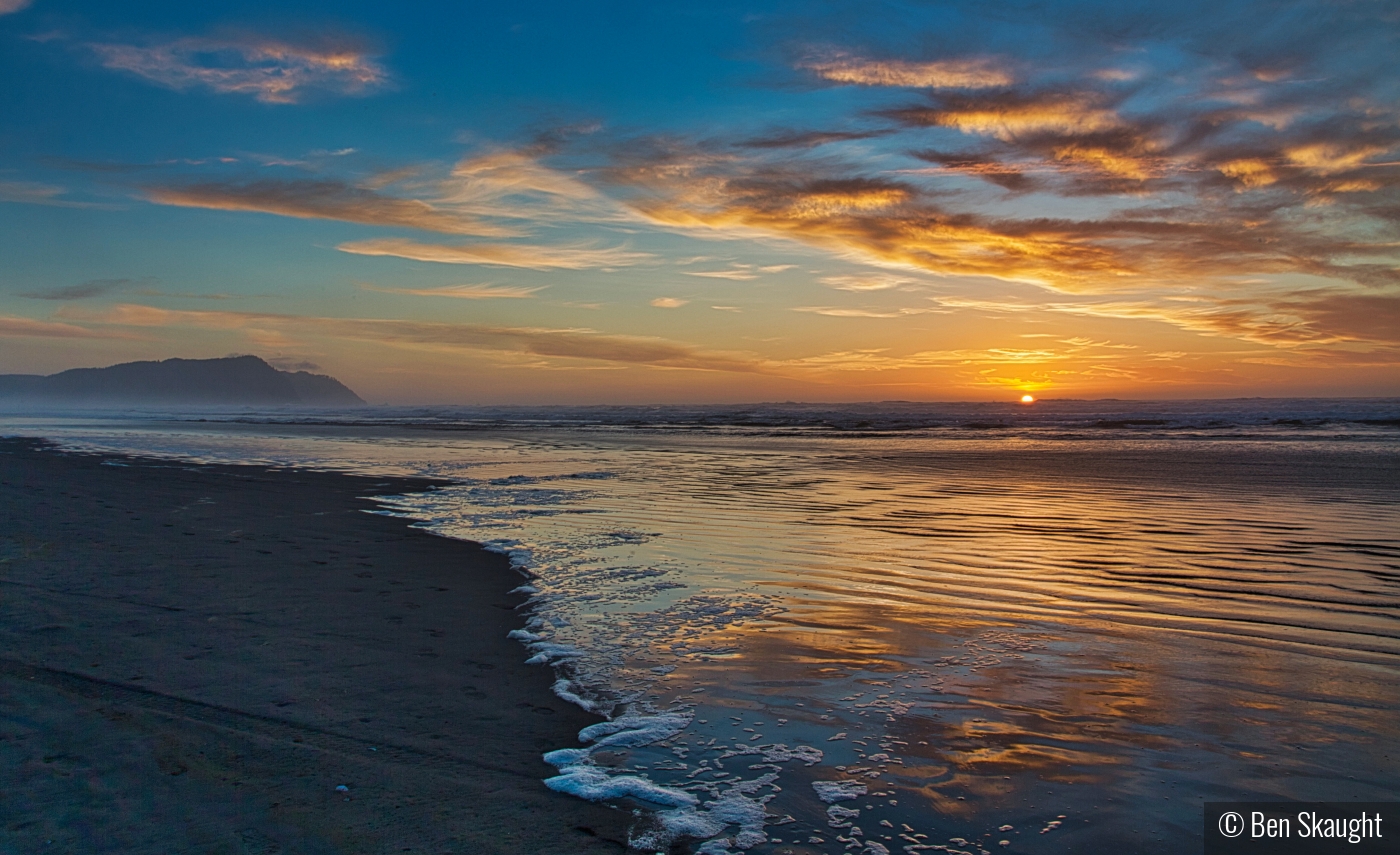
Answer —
(905, 225)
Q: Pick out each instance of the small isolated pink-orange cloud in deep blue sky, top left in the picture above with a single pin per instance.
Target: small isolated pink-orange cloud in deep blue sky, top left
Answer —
(271, 71)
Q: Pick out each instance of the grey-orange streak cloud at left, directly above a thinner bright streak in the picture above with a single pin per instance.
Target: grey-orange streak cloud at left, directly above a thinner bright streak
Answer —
(325, 199)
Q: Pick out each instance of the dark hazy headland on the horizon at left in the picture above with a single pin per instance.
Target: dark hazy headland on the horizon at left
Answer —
(202, 383)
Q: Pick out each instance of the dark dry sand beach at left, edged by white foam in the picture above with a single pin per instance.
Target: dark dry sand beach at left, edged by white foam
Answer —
(192, 658)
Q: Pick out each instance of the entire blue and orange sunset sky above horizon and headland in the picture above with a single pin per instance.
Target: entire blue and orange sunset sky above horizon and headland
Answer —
(710, 202)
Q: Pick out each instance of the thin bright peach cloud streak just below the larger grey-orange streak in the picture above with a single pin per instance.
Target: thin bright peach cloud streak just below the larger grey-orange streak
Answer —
(502, 255)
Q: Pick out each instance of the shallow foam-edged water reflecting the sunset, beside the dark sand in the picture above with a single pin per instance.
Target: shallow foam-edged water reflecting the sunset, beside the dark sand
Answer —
(908, 644)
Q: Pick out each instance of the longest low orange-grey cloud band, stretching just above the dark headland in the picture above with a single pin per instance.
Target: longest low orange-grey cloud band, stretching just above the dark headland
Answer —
(542, 342)
